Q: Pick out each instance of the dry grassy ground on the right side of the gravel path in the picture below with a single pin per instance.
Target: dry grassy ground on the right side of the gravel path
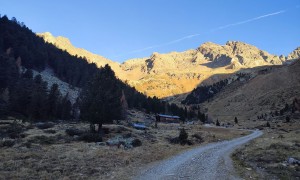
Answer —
(266, 157)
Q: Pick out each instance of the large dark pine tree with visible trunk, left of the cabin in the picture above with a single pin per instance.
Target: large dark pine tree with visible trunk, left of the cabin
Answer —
(101, 98)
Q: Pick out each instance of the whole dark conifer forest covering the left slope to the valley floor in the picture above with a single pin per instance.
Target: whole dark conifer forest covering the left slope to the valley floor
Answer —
(26, 96)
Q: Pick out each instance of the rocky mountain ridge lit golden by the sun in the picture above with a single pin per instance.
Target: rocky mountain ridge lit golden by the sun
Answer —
(176, 73)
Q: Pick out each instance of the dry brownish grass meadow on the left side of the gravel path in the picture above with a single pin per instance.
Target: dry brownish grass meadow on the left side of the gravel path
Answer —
(63, 158)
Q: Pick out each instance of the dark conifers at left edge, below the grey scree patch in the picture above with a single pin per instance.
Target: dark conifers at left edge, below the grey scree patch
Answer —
(26, 96)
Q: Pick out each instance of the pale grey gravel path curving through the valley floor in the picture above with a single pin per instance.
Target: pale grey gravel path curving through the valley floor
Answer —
(211, 161)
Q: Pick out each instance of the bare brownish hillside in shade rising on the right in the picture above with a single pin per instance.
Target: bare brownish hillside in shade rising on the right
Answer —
(265, 93)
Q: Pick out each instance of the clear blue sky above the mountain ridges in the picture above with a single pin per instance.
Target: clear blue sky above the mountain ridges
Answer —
(125, 29)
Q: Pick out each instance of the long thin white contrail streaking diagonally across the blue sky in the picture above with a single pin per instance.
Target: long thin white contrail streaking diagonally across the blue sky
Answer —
(212, 30)
